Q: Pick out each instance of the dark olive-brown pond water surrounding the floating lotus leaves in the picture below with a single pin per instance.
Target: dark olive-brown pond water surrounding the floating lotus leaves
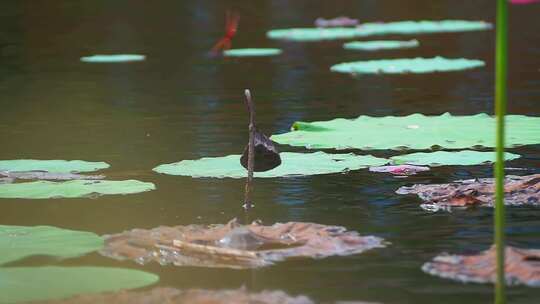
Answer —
(181, 104)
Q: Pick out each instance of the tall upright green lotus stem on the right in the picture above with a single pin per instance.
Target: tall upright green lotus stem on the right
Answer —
(500, 109)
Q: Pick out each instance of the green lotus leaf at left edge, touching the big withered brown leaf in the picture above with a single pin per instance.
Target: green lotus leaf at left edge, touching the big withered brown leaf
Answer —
(18, 242)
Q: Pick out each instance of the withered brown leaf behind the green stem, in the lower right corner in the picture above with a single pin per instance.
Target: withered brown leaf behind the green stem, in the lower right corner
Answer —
(522, 267)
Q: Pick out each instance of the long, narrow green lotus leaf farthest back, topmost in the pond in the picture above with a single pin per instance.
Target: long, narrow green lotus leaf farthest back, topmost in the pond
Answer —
(378, 28)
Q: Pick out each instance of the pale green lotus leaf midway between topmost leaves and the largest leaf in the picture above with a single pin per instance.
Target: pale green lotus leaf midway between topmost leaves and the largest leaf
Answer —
(405, 66)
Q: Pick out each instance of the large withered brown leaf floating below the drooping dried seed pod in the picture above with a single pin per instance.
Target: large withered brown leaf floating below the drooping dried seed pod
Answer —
(234, 245)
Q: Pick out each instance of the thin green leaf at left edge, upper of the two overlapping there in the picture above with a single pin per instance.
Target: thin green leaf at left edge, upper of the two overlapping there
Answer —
(53, 166)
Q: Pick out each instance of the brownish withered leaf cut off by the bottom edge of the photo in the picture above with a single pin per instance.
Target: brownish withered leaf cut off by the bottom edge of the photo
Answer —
(169, 295)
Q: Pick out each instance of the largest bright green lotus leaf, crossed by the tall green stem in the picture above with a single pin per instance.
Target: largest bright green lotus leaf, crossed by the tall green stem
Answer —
(415, 131)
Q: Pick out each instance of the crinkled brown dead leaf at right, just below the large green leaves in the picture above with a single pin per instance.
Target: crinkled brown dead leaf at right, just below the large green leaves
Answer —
(519, 190)
